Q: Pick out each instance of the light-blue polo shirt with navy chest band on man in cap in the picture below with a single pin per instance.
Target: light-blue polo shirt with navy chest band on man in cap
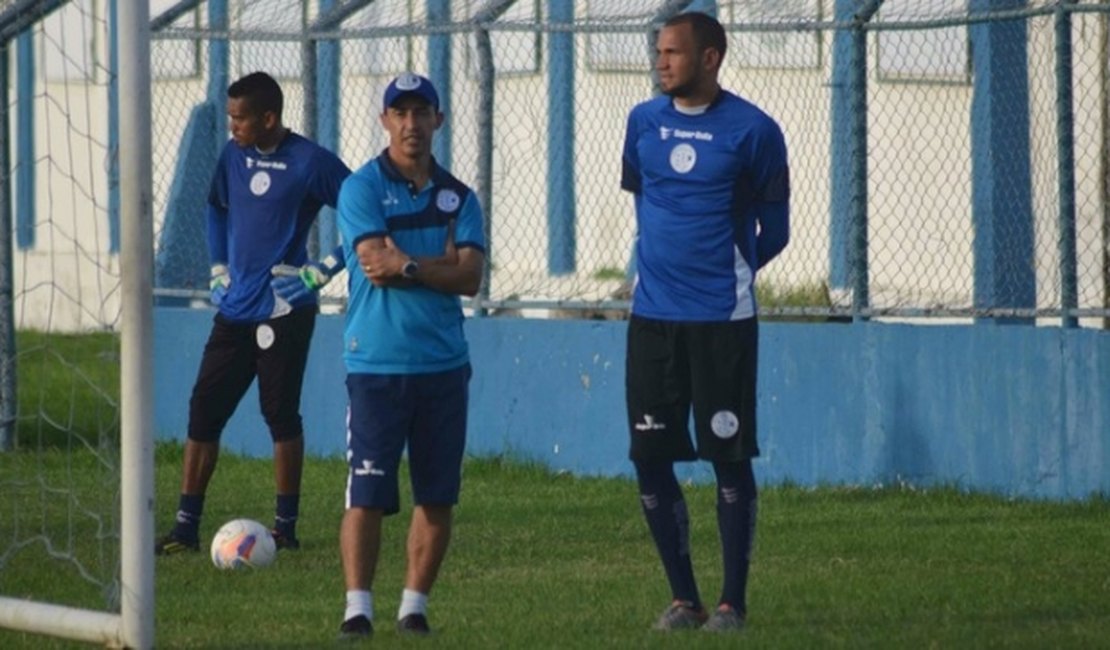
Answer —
(405, 330)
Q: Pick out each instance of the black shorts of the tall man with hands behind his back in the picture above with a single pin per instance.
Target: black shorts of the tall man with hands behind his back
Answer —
(673, 367)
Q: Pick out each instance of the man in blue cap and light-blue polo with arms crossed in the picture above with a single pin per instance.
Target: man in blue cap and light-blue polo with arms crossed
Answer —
(417, 235)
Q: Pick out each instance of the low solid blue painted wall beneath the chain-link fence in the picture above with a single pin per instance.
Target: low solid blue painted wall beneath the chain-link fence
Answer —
(1017, 411)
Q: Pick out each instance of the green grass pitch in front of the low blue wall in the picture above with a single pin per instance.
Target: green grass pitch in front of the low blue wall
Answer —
(544, 561)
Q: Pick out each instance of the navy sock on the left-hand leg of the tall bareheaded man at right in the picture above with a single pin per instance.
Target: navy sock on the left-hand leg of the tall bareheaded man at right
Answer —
(665, 511)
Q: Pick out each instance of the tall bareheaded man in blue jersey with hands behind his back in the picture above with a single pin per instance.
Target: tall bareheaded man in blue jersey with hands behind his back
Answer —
(711, 186)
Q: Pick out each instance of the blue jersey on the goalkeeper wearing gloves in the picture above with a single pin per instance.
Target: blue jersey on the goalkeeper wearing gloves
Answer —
(260, 210)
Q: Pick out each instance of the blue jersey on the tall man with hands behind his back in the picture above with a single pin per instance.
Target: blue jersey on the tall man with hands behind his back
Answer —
(712, 197)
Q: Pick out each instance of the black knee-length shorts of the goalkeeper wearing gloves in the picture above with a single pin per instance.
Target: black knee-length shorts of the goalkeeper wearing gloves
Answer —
(276, 351)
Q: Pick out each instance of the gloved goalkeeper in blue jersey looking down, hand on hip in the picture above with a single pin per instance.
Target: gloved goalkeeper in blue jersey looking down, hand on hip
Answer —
(268, 187)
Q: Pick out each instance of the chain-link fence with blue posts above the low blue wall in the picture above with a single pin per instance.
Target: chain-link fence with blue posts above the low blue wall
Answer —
(948, 158)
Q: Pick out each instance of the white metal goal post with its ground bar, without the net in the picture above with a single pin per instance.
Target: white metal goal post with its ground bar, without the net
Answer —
(134, 627)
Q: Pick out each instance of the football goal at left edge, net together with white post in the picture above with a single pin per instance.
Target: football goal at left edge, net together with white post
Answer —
(74, 474)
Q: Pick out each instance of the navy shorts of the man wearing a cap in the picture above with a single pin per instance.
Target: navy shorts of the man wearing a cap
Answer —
(426, 413)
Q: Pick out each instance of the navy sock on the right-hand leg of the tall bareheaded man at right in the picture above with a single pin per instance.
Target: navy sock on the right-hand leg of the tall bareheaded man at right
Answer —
(736, 521)
